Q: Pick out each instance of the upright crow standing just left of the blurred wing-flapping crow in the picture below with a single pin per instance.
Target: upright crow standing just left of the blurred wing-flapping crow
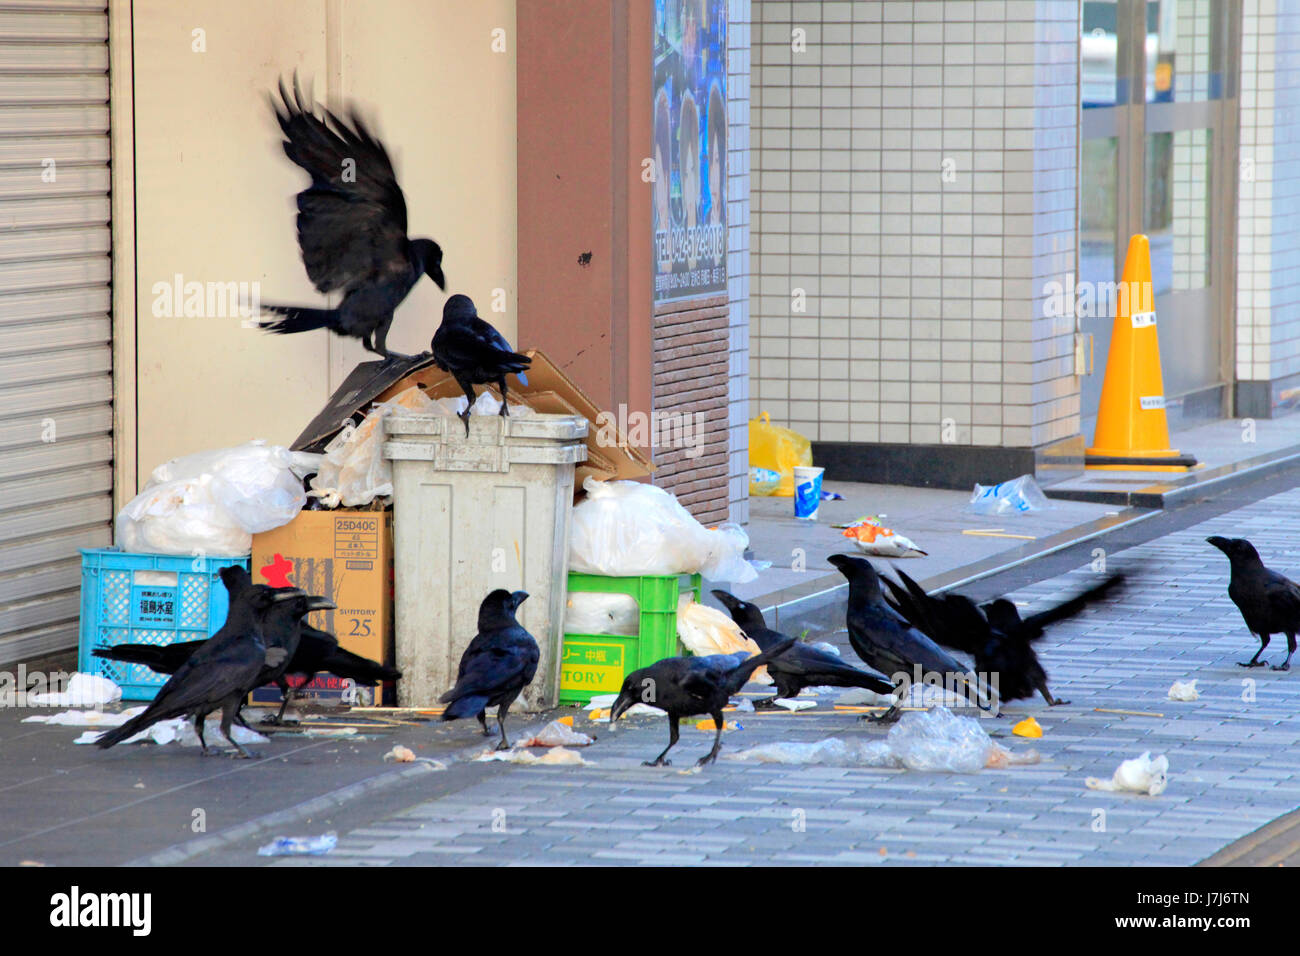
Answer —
(889, 643)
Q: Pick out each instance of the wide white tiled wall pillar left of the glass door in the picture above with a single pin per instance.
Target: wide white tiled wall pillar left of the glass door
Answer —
(915, 168)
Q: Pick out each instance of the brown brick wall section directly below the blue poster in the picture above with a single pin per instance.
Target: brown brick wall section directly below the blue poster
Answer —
(691, 377)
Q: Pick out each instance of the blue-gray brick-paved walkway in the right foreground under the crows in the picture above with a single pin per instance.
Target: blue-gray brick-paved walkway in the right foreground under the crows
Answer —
(1234, 764)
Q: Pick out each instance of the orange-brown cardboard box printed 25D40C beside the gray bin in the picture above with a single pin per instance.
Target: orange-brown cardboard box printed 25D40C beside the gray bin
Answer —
(346, 556)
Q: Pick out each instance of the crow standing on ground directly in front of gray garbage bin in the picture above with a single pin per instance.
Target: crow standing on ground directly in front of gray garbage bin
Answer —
(499, 664)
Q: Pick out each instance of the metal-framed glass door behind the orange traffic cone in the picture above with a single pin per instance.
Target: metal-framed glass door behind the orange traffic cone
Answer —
(1159, 157)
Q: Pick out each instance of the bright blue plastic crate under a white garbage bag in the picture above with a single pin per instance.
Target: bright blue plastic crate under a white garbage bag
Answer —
(148, 599)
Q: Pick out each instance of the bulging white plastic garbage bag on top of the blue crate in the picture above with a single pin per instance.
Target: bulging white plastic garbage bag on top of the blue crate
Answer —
(214, 503)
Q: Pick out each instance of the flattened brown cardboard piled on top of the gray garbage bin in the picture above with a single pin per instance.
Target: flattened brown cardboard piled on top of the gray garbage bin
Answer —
(549, 391)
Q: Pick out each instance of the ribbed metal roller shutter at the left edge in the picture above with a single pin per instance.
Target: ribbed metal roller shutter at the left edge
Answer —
(57, 390)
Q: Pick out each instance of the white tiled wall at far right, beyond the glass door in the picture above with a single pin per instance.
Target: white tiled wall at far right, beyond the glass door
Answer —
(1268, 291)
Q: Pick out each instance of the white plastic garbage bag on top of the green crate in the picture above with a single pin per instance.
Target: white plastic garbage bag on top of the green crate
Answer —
(626, 529)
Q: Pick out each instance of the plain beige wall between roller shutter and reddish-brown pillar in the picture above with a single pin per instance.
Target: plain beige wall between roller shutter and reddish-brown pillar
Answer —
(215, 193)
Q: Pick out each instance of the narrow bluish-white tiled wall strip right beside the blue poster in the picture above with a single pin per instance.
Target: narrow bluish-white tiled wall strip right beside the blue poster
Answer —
(738, 254)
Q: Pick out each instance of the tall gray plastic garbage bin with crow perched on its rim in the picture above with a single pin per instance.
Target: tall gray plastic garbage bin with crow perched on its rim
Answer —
(471, 514)
